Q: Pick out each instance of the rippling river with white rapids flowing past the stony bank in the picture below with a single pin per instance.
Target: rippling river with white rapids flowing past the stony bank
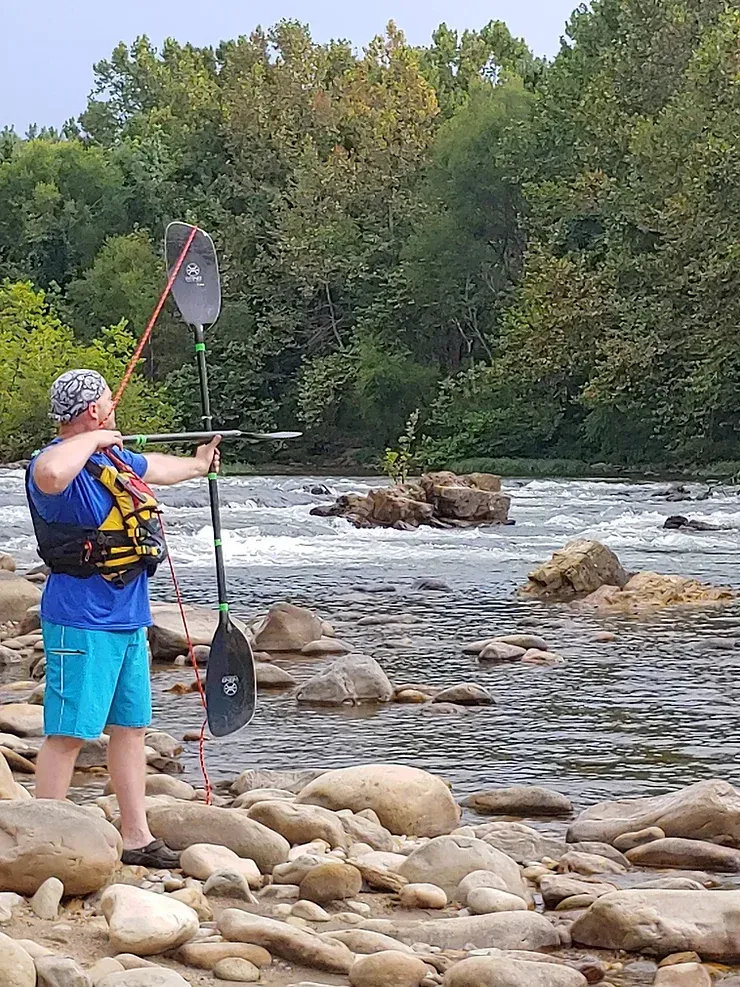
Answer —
(655, 710)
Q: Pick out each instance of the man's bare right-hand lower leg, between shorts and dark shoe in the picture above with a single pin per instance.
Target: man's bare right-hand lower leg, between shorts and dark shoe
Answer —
(127, 767)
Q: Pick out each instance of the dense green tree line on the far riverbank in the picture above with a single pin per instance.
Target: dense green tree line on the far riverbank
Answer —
(542, 258)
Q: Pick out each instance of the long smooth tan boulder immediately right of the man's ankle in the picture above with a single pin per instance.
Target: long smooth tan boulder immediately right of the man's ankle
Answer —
(182, 824)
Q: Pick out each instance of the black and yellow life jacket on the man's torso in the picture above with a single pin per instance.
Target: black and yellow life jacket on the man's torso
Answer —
(128, 543)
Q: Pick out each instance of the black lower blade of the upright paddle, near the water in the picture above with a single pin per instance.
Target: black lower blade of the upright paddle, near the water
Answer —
(231, 687)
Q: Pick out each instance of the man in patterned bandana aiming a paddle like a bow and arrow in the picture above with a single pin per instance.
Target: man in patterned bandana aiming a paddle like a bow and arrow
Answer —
(95, 605)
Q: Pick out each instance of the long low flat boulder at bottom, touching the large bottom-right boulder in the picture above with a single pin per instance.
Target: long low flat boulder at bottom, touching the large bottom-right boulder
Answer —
(505, 930)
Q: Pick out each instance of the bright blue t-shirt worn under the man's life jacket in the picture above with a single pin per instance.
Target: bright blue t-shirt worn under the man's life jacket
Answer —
(92, 603)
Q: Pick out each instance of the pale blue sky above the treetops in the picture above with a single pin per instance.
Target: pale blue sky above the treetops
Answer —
(48, 47)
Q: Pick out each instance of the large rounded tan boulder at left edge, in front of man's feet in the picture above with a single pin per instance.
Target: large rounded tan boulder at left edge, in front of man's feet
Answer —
(42, 839)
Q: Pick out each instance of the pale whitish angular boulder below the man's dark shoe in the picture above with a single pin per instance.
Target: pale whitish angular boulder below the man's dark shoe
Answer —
(144, 923)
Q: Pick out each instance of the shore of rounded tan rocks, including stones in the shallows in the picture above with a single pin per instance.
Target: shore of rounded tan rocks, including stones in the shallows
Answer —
(377, 875)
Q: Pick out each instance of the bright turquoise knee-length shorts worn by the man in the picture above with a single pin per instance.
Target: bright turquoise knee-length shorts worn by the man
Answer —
(95, 679)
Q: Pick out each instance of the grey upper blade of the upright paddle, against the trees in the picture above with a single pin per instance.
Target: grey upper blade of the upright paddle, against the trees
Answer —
(197, 287)
